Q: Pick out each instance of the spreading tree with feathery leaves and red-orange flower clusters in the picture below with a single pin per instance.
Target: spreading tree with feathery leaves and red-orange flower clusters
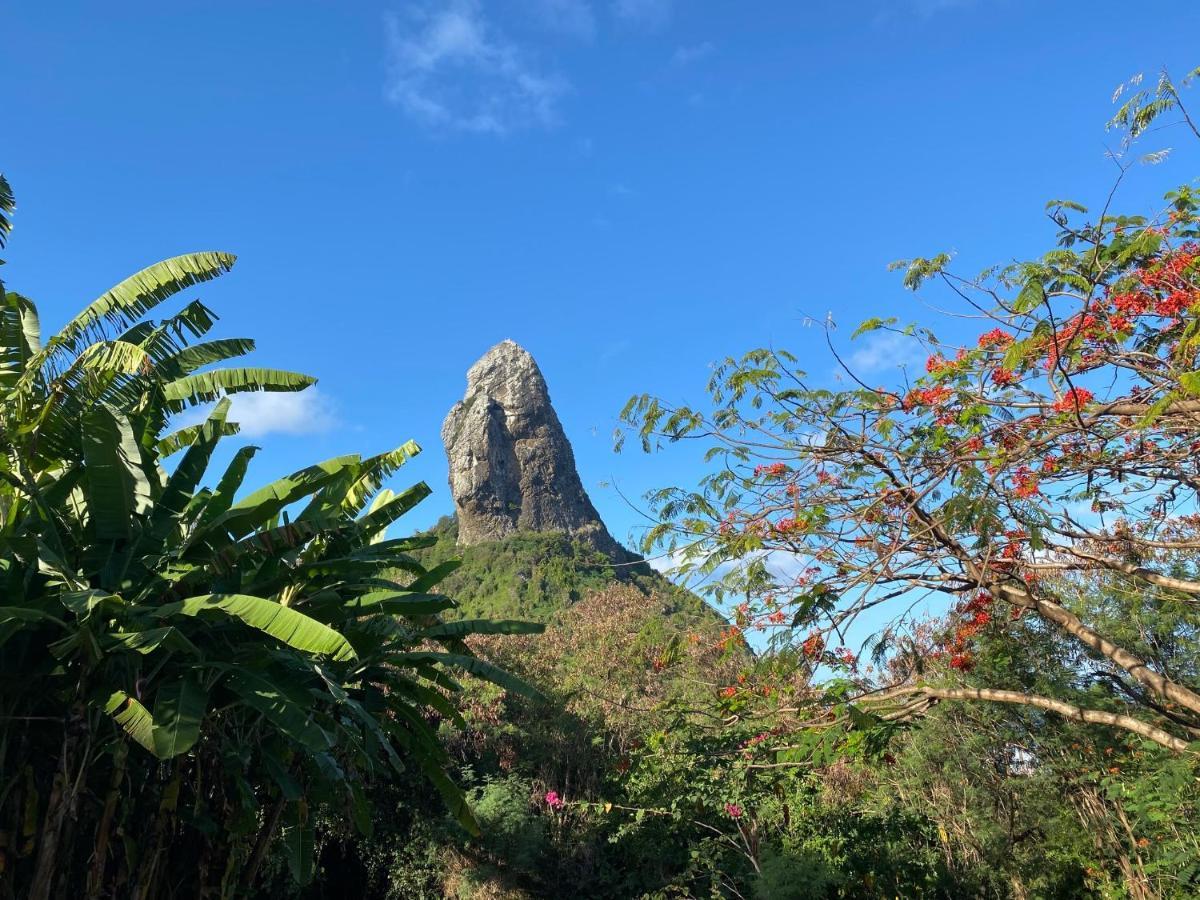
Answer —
(1048, 460)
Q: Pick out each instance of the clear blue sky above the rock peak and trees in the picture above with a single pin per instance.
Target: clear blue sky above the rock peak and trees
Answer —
(631, 189)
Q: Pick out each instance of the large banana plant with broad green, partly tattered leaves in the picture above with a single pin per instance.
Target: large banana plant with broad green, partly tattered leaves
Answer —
(189, 669)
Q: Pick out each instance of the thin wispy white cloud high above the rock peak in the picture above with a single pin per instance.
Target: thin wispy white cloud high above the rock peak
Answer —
(449, 68)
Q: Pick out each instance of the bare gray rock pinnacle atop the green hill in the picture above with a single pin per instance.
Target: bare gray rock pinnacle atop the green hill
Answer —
(512, 467)
